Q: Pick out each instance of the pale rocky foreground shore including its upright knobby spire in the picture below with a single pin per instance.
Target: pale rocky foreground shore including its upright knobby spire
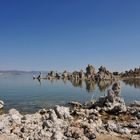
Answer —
(107, 118)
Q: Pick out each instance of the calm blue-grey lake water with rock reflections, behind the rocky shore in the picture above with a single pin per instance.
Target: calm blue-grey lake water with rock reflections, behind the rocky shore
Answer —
(28, 95)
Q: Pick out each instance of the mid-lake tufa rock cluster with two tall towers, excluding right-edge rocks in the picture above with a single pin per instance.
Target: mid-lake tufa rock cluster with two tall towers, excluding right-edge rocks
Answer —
(90, 74)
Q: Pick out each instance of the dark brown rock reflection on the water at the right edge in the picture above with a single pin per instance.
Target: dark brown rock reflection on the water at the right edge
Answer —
(132, 82)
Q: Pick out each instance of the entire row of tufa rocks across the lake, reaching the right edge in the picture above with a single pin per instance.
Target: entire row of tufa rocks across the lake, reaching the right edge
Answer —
(91, 74)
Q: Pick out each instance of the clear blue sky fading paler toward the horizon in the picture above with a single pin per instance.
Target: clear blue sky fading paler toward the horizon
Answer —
(69, 34)
